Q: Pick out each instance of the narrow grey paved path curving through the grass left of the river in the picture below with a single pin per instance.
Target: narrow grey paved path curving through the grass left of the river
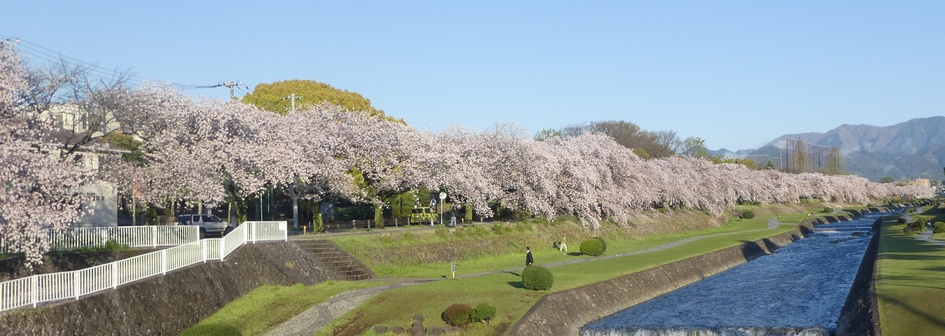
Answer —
(316, 318)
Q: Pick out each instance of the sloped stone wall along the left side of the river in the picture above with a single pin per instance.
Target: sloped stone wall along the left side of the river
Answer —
(565, 312)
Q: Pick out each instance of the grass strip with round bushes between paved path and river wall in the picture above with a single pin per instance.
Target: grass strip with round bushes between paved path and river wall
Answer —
(504, 290)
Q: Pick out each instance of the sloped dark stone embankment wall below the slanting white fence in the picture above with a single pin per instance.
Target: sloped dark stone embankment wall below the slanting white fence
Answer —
(166, 305)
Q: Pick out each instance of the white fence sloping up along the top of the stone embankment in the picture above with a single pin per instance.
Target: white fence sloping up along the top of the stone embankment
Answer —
(76, 284)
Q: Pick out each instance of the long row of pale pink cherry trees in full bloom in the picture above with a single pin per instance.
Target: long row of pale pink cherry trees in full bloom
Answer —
(216, 152)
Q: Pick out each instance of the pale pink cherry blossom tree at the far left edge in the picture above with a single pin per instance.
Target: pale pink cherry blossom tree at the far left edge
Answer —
(39, 182)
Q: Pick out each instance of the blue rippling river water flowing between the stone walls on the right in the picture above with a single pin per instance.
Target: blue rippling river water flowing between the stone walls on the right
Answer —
(799, 290)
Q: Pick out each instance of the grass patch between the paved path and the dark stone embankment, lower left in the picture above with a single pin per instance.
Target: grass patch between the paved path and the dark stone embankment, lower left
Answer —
(269, 306)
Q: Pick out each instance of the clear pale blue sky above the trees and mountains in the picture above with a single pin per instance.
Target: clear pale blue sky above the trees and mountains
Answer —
(736, 73)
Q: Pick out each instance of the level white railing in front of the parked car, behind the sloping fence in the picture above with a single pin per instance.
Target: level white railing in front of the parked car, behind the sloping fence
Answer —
(130, 236)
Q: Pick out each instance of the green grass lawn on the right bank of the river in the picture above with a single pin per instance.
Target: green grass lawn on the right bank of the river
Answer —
(910, 285)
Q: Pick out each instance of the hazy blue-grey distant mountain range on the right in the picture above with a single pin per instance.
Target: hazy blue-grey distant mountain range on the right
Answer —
(908, 150)
